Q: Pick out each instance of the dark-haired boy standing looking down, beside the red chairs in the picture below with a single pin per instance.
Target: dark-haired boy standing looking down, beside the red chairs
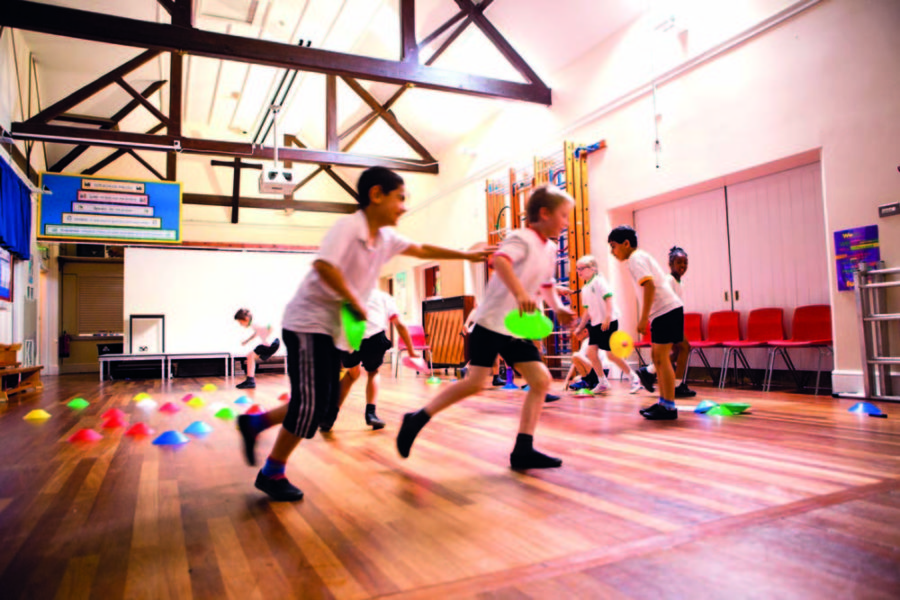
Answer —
(661, 310)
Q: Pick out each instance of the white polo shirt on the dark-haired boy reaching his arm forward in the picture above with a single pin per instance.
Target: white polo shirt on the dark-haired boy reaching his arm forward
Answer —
(315, 307)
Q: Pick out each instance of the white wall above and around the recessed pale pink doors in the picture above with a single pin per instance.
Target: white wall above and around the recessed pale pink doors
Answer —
(823, 81)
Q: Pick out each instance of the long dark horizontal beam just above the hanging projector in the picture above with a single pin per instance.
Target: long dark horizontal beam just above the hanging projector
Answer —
(164, 143)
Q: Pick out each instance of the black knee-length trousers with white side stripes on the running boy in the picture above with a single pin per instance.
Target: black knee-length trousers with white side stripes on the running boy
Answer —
(314, 367)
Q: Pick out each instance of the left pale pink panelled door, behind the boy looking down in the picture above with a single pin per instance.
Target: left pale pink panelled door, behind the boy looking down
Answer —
(697, 224)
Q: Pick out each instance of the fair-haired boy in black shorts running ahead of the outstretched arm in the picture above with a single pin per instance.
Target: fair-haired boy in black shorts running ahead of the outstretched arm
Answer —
(524, 264)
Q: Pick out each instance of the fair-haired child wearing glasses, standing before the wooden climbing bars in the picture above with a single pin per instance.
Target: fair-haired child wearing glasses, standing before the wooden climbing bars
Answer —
(601, 318)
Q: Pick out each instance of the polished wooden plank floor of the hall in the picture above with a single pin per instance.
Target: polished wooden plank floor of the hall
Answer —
(799, 499)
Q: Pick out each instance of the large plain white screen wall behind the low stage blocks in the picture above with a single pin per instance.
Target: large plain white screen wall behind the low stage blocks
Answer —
(199, 291)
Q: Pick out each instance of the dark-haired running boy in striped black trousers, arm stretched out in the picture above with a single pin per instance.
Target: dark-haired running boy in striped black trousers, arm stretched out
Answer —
(345, 271)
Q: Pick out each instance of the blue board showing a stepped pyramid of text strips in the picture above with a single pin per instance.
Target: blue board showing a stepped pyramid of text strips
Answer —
(108, 209)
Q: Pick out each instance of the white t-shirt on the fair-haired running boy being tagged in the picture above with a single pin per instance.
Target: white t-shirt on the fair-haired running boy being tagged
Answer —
(534, 262)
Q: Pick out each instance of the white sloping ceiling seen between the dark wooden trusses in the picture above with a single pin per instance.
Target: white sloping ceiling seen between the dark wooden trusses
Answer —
(224, 99)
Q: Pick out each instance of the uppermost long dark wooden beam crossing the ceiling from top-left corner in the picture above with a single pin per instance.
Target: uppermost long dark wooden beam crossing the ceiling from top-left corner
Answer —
(56, 20)
